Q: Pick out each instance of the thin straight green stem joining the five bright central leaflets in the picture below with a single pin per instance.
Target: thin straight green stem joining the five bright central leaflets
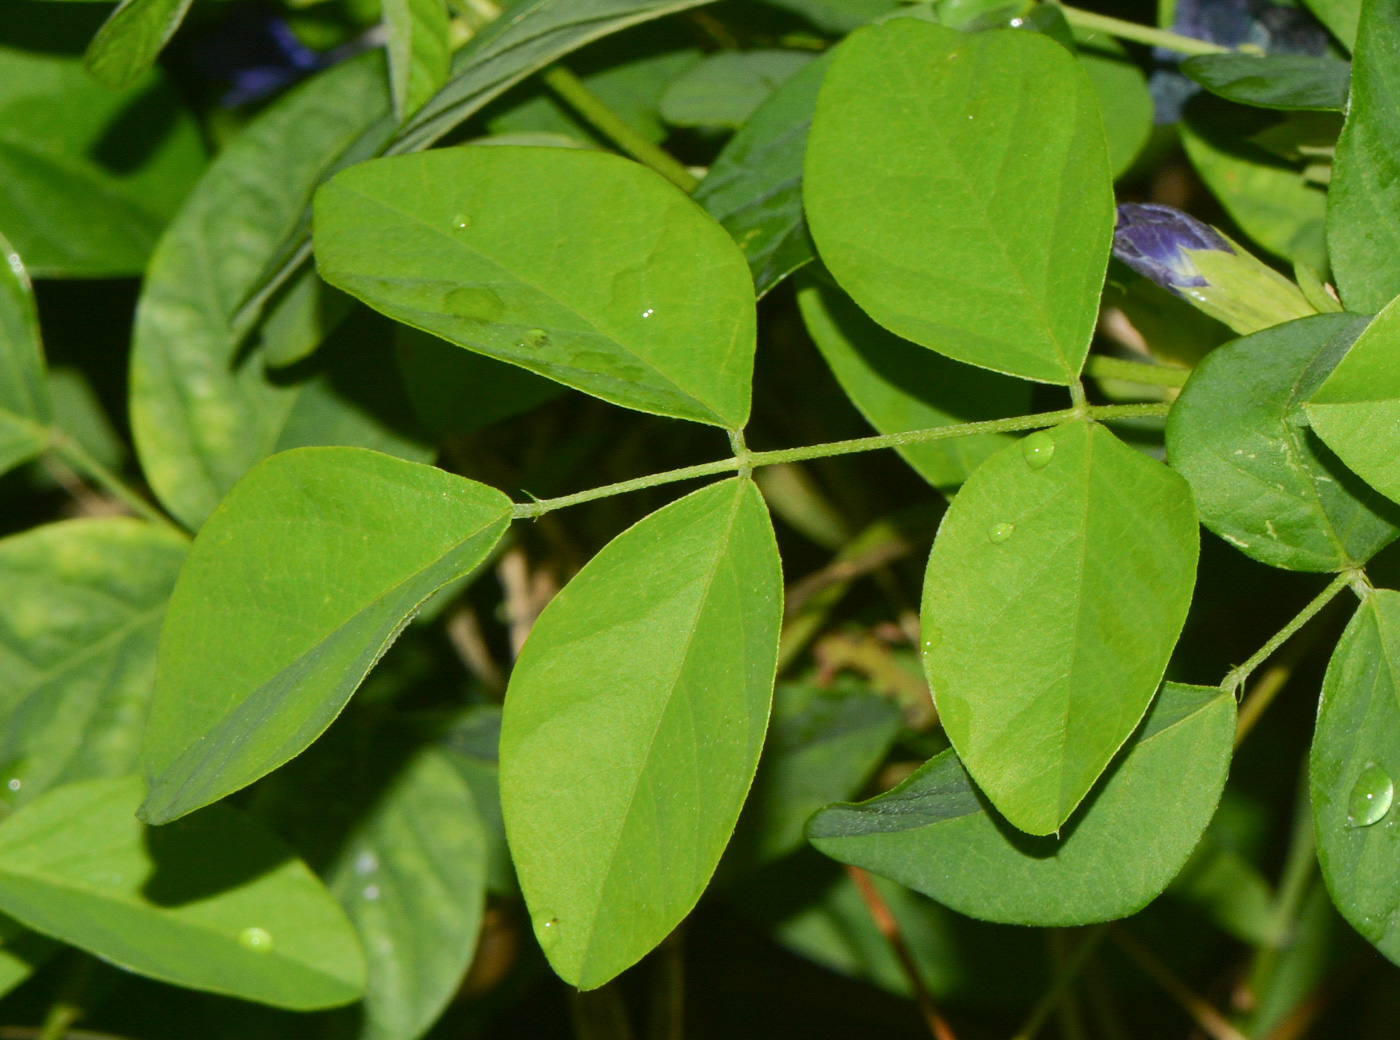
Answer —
(752, 460)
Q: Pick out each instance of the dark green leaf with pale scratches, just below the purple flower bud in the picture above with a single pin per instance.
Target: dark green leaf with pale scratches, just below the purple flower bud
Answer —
(1262, 481)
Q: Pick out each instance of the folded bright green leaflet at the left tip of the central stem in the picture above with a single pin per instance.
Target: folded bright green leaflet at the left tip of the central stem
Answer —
(292, 593)
